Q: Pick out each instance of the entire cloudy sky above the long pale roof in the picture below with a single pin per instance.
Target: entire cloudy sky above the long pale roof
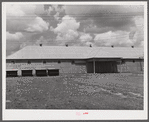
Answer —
(75, 25)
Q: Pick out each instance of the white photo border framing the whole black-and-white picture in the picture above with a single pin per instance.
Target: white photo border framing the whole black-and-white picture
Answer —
(71, 114)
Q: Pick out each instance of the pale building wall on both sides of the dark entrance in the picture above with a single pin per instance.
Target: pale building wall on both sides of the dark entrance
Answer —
(68, 67)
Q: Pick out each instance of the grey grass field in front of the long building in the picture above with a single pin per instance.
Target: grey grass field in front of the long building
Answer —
(80, 91)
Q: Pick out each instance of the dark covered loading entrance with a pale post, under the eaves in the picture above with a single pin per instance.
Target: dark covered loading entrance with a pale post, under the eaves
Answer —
(102, 65)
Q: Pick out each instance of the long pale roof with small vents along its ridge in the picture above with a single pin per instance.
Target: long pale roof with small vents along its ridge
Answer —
(71, 52)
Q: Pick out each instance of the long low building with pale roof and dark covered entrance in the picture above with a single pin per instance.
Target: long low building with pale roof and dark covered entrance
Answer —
(55, 60)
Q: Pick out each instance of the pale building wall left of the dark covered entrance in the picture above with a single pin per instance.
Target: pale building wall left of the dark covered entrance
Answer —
(64, 67)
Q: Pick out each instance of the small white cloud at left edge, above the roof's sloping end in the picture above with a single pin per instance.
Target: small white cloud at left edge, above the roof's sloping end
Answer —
(17, 36)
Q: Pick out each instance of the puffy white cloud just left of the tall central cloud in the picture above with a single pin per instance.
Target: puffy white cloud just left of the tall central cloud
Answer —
(37, 25)
